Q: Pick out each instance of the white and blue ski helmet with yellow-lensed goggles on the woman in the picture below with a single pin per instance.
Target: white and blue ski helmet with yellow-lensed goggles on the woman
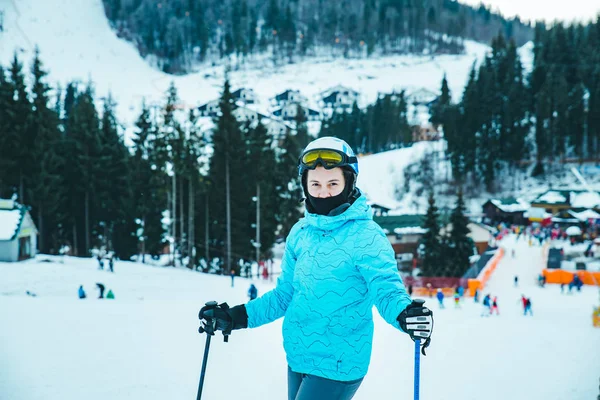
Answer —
(329, 152)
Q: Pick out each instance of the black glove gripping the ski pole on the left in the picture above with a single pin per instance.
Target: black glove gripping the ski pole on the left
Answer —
(219, 317)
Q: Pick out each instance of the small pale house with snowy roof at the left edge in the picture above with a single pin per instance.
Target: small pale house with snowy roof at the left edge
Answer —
(18, 234)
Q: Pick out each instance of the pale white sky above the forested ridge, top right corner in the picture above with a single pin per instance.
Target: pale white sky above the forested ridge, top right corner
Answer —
(580, 10)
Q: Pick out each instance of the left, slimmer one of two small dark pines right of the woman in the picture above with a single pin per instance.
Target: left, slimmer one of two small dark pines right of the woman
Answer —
(433, 264)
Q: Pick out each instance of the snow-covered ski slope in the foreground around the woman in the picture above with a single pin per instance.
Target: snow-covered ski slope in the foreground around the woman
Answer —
(144, 344)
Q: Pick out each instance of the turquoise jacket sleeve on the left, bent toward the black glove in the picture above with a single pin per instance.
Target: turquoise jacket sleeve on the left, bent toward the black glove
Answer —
(273, 304)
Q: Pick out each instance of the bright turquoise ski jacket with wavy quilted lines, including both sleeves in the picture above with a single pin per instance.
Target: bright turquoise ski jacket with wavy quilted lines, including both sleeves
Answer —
(334, 269)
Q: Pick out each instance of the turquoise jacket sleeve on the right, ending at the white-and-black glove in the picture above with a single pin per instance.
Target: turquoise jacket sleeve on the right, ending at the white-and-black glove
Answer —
(375, 259)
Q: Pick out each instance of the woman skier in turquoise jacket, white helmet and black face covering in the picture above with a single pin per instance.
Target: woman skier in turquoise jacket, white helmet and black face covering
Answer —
(337, 264)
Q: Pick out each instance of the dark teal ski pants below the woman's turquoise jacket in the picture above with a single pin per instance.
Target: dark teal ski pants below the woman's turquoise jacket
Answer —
(310, 387)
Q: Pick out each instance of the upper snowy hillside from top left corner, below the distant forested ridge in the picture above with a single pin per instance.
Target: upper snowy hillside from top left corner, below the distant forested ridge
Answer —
(76, 42)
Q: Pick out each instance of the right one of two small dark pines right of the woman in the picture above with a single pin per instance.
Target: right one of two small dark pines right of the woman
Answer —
(460, 246)
